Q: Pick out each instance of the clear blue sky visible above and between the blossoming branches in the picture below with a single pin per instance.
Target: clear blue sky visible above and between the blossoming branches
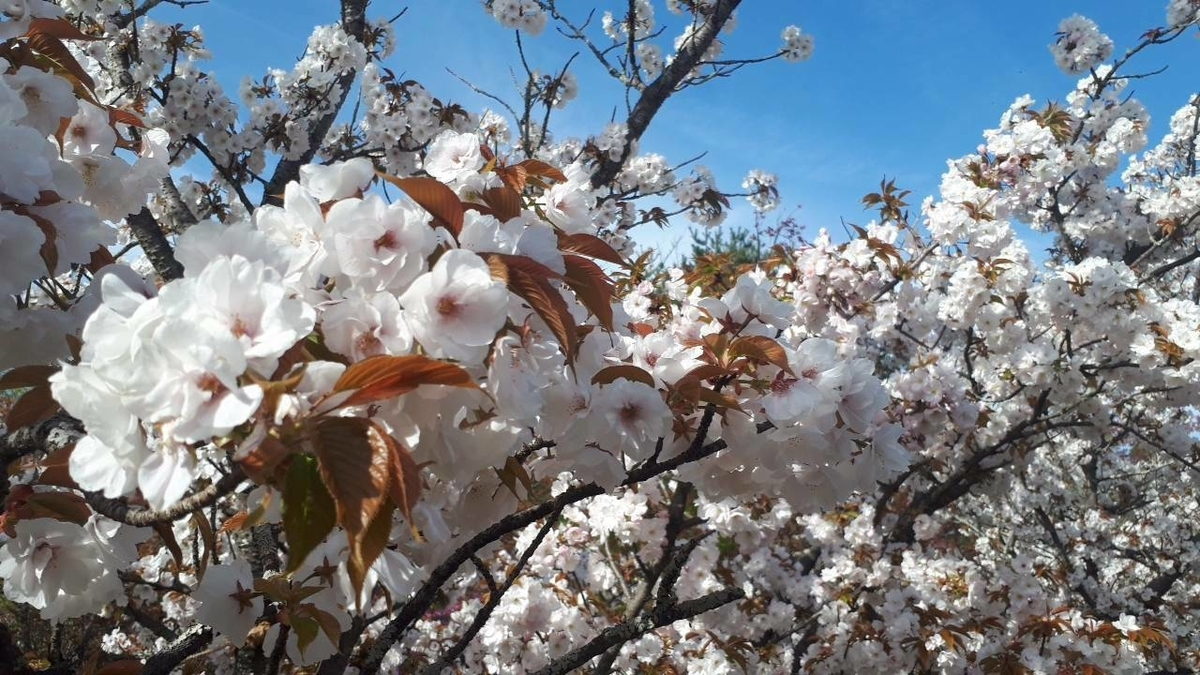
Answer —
(895, 88)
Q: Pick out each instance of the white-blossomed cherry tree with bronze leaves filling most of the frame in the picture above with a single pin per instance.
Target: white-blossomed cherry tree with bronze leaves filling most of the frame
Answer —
(383, 390)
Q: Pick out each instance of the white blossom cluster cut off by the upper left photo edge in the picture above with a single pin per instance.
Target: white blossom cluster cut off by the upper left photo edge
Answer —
(63, 186)
